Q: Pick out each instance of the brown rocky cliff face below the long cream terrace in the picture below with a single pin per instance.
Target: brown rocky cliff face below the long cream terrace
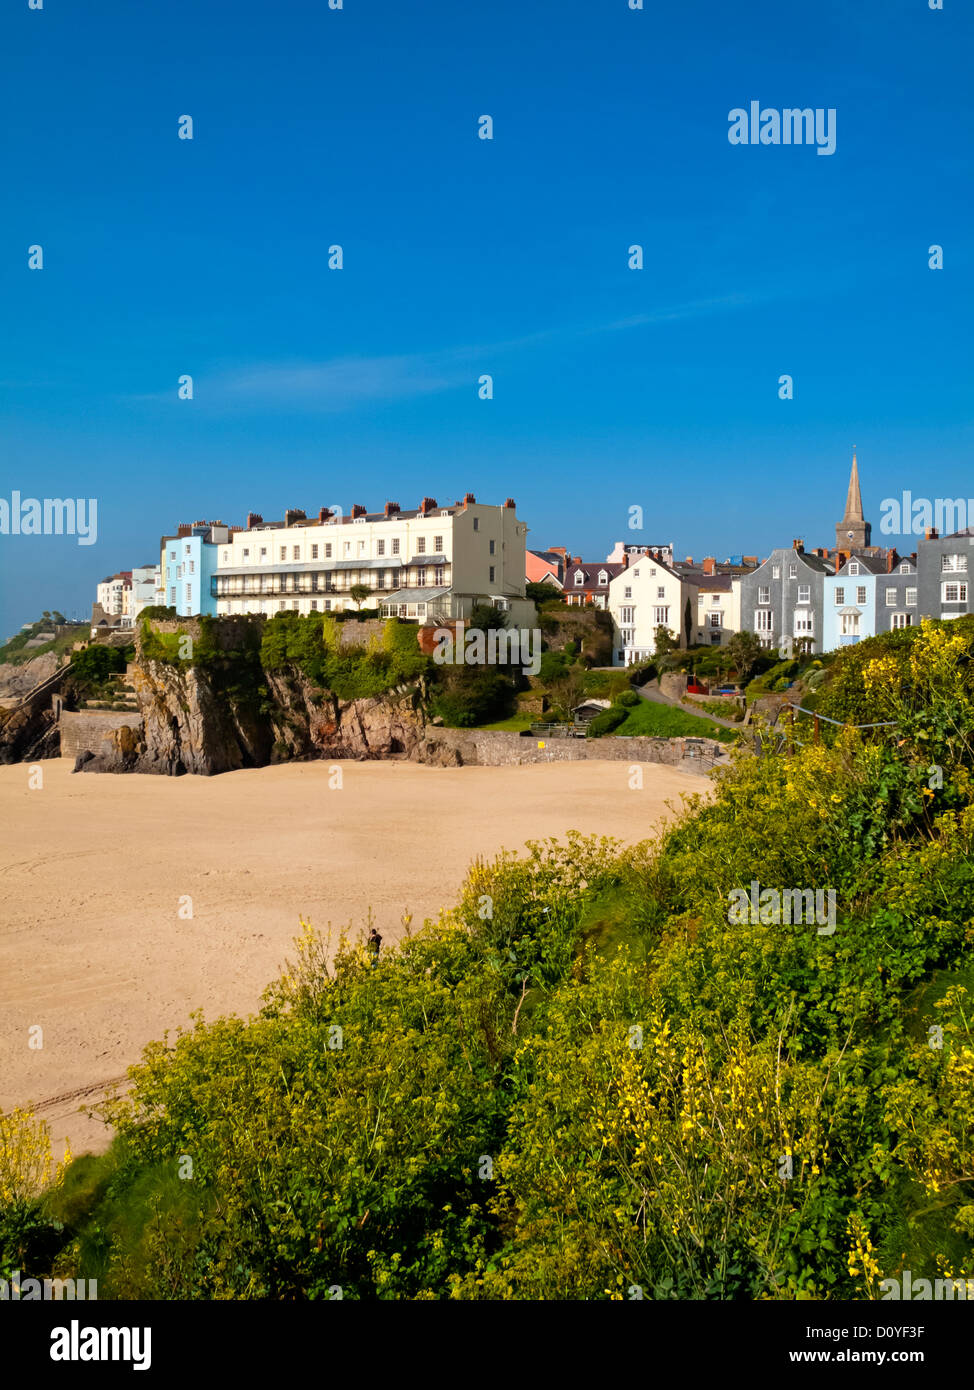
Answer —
(191, 725)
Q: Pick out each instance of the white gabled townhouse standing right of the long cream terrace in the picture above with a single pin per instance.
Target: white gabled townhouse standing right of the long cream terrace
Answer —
(648, 594)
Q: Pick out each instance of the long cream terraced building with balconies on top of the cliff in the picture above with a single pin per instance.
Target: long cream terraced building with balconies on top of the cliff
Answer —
(429, 565)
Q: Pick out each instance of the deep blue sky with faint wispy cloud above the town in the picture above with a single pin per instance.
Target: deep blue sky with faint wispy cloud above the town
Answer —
(465, 256)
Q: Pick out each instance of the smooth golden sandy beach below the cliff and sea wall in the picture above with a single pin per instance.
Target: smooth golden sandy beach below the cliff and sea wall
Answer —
(97, 869)
